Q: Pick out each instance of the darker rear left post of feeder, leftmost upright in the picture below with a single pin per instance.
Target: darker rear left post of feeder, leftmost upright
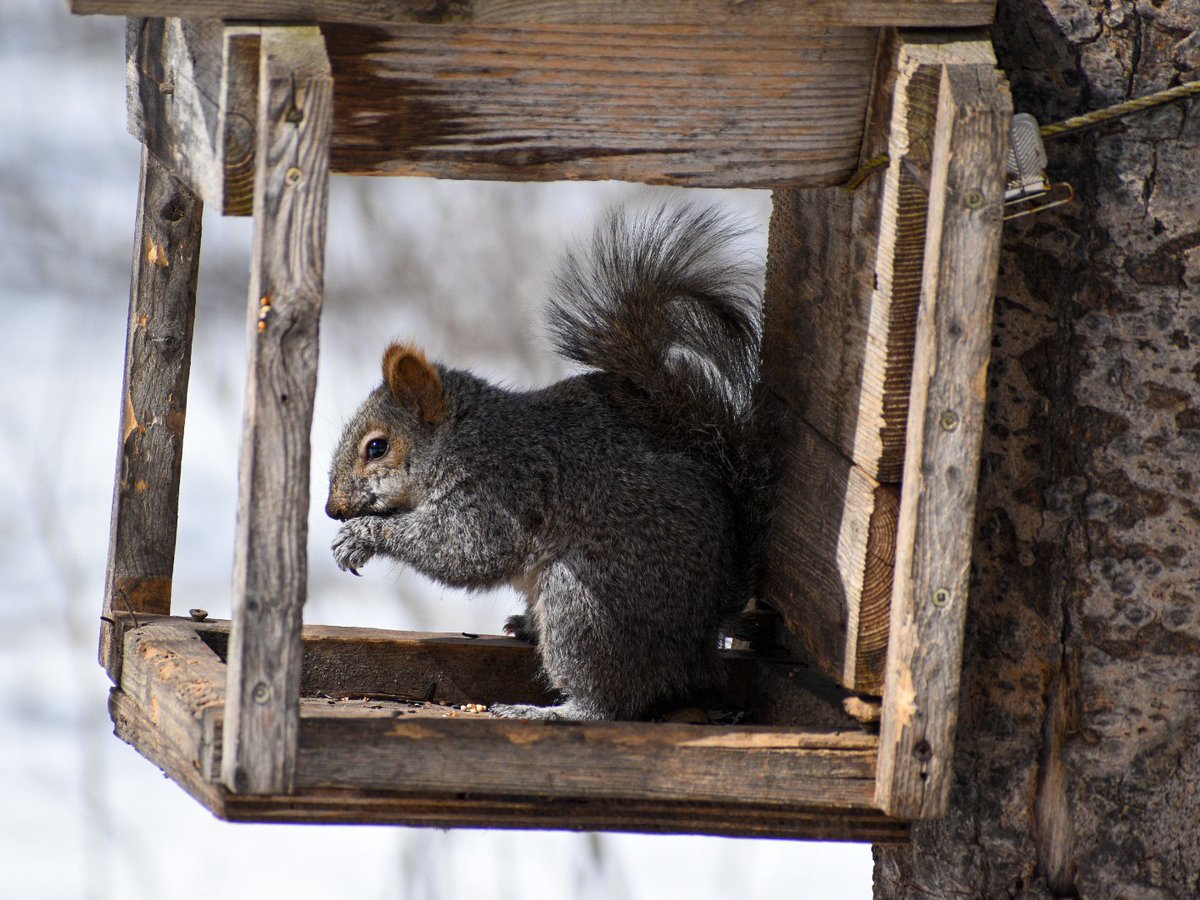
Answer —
(154, 401)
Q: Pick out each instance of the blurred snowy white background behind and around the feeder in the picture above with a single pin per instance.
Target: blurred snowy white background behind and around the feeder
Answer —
(459, 267)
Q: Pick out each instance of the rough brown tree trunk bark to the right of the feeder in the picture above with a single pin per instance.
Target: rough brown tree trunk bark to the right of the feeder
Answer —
(1078, 755)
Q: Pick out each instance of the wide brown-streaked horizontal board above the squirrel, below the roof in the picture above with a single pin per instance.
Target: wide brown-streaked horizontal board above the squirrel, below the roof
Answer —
(691, 106)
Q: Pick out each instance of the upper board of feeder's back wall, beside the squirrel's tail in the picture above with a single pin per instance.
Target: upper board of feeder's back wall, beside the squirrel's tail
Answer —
(844, 272)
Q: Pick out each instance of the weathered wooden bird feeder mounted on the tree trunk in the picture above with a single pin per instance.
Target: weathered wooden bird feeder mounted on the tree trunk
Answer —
(879, 310)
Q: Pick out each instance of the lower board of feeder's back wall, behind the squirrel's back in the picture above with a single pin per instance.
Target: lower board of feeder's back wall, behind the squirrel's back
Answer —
(830, 560)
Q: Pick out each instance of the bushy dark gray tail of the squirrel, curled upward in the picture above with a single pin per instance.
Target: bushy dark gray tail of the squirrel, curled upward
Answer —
(664, 301)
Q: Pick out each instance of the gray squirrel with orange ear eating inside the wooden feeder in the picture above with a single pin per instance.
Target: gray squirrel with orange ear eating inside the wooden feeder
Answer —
(627, 503)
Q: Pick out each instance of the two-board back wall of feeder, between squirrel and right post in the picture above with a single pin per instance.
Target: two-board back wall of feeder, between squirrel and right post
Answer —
(845, 281)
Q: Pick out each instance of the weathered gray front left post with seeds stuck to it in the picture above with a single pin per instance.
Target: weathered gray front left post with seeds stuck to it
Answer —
(287, 281)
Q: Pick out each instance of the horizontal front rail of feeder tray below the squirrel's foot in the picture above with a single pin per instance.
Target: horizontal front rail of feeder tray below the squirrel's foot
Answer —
(610, 760)
